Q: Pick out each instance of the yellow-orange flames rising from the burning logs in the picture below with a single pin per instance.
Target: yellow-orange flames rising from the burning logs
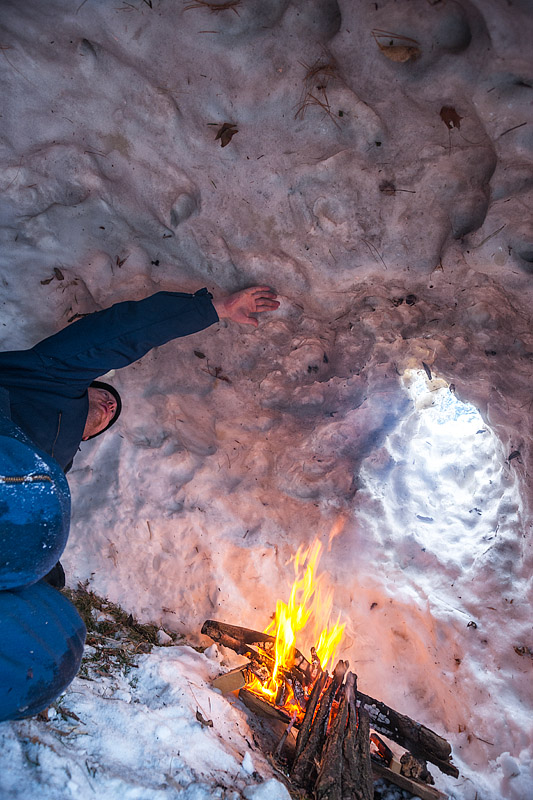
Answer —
(309, 605)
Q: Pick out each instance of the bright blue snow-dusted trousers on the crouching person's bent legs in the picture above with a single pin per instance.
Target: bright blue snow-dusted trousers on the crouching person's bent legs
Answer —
(41, 633)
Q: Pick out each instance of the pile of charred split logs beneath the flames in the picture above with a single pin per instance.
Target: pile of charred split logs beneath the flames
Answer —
(339, 752)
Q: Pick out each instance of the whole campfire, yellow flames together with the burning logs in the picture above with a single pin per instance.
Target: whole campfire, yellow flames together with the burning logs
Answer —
(339, 749)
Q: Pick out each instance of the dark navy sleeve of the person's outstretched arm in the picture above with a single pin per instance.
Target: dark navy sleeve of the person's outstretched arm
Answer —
(118, 336)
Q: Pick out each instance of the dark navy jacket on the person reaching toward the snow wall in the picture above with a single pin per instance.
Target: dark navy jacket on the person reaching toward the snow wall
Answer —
(48, 383)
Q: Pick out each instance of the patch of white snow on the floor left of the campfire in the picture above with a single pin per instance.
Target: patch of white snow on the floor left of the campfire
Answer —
(158, 732)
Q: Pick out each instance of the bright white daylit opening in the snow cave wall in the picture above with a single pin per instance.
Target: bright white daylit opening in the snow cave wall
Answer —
(443, 479)
